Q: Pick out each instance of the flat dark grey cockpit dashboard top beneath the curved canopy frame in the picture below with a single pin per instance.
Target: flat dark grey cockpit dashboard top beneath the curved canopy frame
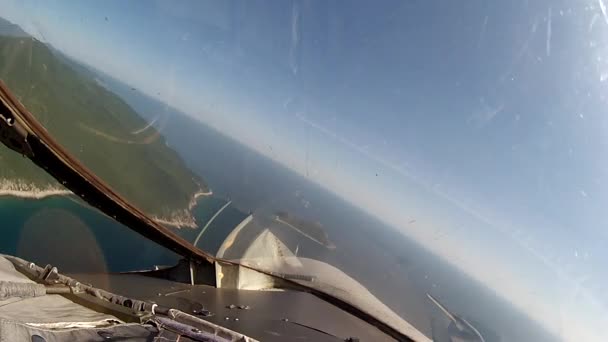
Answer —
(272, 315)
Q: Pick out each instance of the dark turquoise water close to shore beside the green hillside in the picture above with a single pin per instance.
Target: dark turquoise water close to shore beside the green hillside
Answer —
(65, 232)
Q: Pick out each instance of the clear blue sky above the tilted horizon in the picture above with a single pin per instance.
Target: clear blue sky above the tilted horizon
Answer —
(486, 121)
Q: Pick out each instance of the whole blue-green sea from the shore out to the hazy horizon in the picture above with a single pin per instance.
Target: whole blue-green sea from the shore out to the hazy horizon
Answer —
(63, 231)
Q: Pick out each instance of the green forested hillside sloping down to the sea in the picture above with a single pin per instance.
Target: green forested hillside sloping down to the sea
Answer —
(95, 125)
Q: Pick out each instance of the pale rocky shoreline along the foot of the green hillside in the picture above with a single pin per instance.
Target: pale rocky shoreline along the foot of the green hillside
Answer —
(21, 189)
